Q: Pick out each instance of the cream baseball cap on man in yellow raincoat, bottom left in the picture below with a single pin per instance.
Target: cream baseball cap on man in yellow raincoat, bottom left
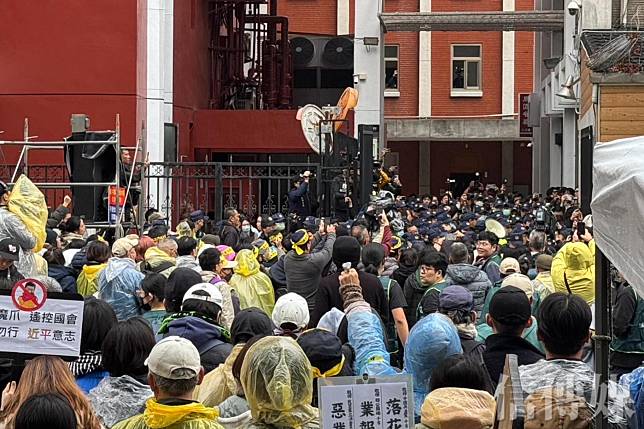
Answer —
(173, 353)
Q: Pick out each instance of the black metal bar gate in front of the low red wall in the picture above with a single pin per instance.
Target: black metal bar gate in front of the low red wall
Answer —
(253, 188)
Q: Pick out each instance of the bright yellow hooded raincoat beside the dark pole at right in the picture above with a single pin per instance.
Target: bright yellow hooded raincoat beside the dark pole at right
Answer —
(577, 261)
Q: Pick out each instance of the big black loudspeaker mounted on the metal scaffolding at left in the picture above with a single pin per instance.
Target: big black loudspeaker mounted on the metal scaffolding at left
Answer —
(91, 163)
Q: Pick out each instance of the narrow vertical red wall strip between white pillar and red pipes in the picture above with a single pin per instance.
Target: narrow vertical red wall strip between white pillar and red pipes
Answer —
(191, 64)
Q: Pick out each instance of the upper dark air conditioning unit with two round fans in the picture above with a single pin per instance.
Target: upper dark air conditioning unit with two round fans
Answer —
(322, 52)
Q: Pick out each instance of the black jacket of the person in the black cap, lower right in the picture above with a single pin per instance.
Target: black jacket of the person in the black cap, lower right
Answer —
(497, 346)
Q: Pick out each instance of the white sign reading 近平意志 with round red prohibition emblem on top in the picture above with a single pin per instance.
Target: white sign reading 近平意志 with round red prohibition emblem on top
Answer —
(33, 323)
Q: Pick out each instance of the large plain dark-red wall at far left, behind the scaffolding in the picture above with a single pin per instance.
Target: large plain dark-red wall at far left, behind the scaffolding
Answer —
(72, 57)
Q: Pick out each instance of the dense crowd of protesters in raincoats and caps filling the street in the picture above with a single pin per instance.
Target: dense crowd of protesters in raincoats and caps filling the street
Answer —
(230, 324)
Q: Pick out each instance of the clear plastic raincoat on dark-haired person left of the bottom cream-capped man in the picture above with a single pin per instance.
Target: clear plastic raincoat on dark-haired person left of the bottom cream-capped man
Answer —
(118, 398)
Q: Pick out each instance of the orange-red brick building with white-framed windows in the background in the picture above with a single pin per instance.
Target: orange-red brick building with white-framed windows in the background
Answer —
(475, 130)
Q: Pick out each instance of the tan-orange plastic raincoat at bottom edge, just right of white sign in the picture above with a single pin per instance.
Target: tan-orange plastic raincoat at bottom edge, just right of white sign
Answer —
(456, 408)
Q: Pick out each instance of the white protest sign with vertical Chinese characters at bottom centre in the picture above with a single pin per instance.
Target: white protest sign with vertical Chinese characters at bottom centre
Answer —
(355, 403)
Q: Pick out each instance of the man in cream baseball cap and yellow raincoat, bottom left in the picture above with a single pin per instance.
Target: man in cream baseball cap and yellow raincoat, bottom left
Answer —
(175, 371)
